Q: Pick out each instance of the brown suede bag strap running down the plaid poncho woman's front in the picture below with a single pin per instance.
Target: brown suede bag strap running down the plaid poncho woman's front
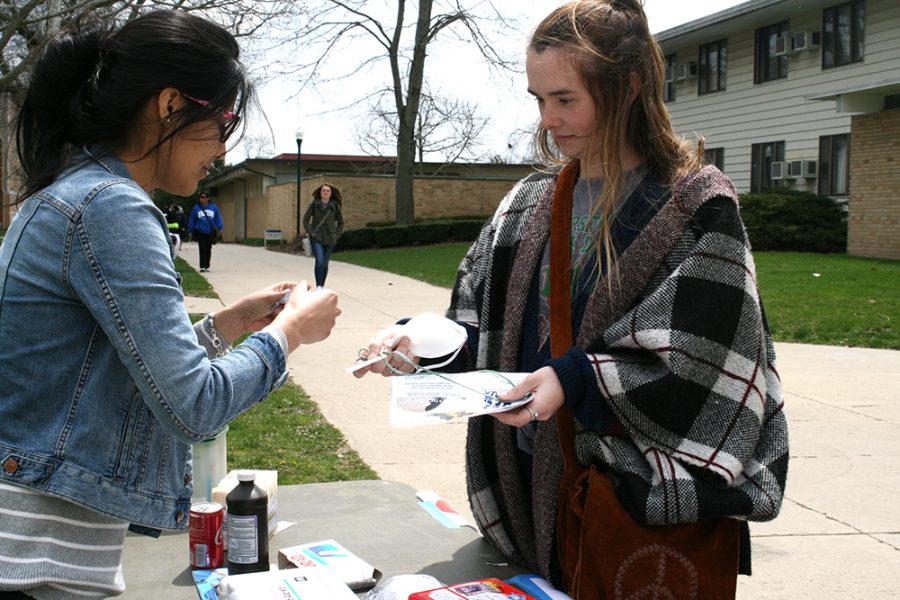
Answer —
(561, 294)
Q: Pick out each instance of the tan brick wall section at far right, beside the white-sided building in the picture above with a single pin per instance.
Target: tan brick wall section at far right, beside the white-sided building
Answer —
(874, 209)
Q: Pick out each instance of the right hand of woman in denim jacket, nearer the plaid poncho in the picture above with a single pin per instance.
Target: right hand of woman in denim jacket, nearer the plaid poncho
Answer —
(308, 316)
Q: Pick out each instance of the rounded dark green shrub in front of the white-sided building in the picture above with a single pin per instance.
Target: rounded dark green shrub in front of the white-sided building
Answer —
(789, 220)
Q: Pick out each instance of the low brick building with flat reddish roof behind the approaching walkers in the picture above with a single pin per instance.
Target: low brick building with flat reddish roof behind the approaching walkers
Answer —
(261, 194)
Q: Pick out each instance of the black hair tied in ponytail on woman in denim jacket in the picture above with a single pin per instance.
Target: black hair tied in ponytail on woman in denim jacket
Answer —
(91, 83)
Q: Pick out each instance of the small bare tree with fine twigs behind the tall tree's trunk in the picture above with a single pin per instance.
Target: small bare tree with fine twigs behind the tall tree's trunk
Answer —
(449, 128)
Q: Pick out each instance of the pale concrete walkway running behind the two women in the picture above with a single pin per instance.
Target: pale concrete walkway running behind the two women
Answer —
(838, 536)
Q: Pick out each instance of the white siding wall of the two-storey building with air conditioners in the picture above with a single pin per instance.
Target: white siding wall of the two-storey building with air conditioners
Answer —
(747, 113)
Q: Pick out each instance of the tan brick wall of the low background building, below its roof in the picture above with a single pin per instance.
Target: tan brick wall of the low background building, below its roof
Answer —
(368, 199)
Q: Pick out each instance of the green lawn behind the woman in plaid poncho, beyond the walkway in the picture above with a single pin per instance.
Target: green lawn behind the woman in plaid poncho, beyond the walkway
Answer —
(810, 298)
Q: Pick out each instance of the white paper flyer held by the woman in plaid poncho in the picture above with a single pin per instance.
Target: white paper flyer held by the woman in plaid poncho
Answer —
(427, 398)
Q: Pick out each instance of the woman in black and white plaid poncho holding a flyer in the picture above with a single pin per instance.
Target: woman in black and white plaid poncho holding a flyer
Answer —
(620, 278)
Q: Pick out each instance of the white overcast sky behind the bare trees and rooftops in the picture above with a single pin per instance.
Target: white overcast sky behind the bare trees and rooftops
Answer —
(506, 103)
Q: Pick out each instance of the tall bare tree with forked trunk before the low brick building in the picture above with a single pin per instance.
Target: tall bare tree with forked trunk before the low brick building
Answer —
(343, 24)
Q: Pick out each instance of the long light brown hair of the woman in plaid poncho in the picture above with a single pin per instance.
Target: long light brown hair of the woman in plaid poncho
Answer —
(609, 40)
